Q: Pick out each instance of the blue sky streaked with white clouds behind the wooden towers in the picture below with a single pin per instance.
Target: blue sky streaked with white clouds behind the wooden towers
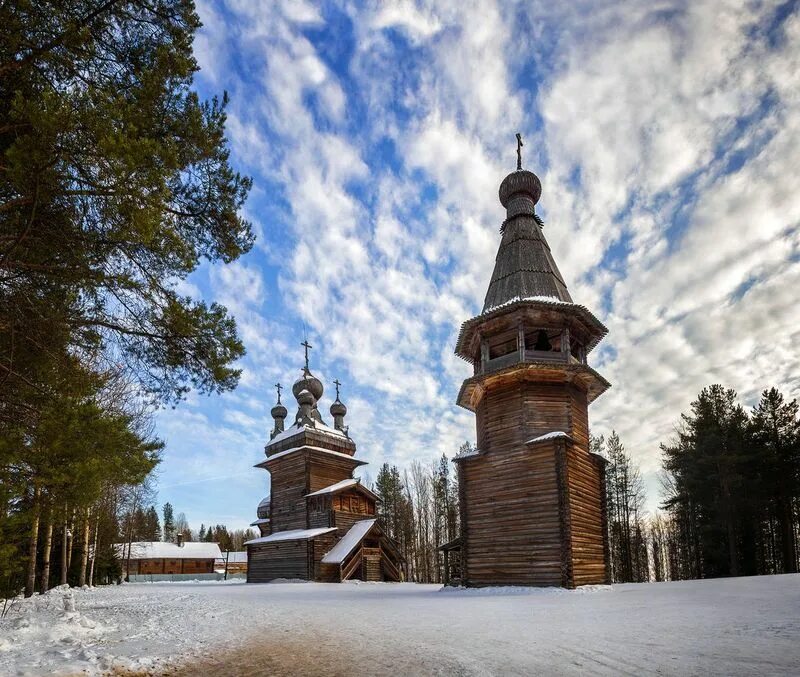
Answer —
(667, 138)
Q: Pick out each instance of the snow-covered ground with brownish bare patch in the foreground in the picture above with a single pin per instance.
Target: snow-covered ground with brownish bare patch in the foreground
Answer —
(739, 626)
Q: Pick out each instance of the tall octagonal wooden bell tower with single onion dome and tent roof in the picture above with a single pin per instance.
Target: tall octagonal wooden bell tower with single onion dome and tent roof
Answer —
(531, 495)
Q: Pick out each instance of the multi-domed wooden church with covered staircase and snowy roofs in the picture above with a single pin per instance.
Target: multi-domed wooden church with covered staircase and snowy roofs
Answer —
(319, 522)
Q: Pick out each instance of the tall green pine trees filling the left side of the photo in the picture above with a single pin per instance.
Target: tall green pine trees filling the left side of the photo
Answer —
(114, 185)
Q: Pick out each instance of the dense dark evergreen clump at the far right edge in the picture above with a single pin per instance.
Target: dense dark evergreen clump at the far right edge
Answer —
(732, 483)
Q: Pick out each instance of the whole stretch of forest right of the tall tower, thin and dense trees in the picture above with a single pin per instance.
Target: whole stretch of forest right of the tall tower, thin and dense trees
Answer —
(731, 494)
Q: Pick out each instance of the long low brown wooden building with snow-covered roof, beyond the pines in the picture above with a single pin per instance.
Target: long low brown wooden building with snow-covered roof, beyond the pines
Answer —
(157, 557)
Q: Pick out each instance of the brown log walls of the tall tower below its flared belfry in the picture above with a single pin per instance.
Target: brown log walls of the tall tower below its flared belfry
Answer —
(526, 519)
